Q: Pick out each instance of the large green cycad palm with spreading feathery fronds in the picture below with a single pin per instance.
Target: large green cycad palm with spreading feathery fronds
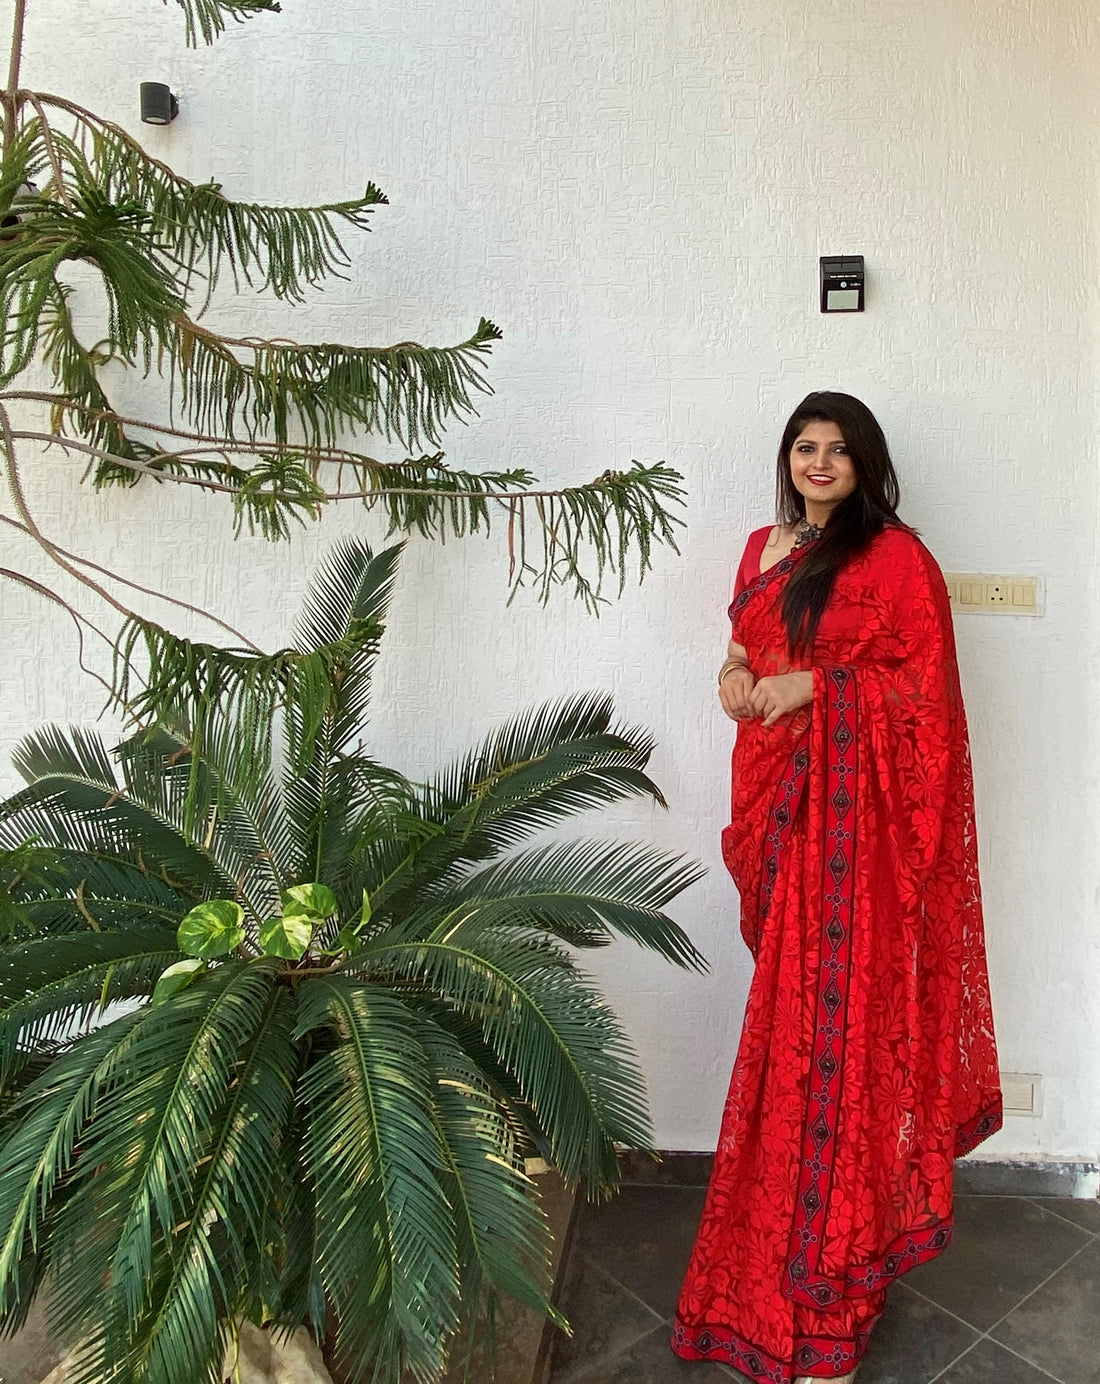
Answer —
(351, 1008)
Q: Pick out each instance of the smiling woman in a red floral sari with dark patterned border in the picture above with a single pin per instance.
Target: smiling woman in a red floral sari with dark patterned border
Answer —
(867, 1061)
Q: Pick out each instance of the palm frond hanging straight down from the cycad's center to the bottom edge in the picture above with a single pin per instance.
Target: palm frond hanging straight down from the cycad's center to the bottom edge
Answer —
(385, 1237)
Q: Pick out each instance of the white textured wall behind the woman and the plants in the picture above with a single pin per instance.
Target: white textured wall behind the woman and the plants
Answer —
(639, 193)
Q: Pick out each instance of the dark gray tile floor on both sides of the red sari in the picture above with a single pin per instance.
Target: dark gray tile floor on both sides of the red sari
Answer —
(1015, 1300)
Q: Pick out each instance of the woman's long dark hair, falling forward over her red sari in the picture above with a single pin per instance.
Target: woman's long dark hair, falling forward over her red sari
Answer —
(854, 522)
